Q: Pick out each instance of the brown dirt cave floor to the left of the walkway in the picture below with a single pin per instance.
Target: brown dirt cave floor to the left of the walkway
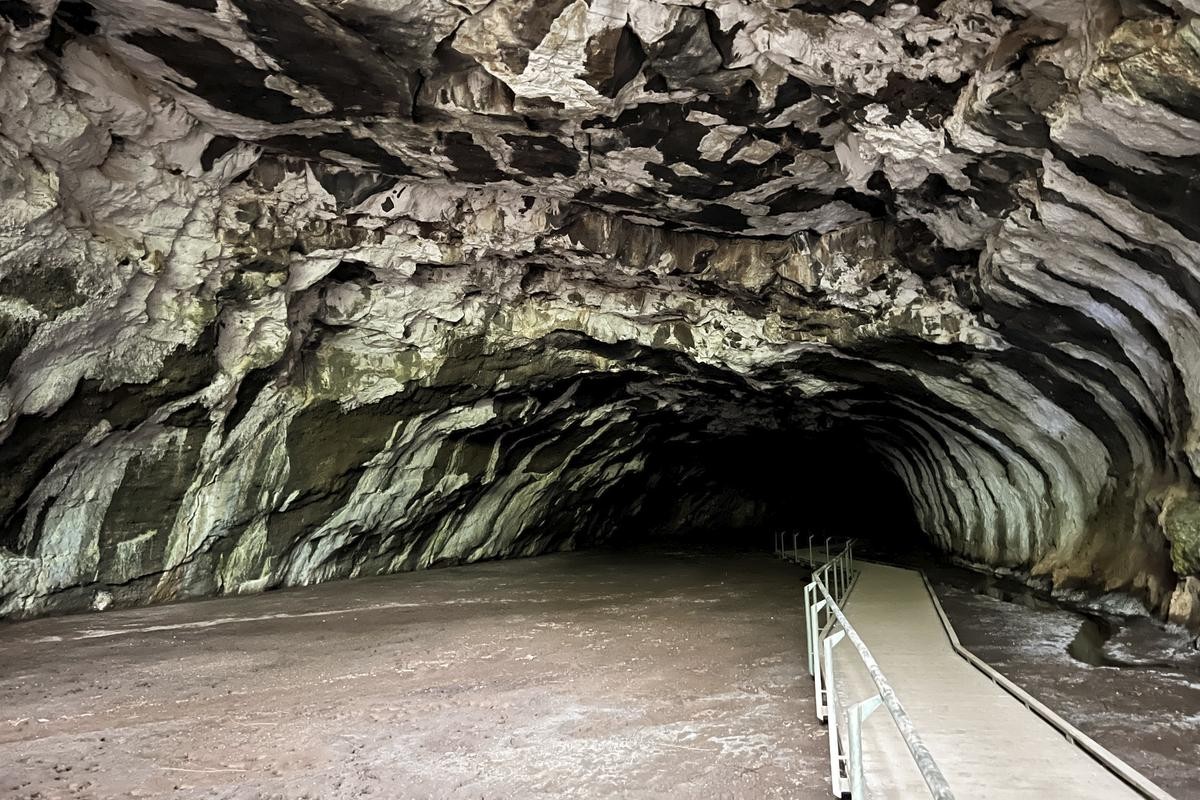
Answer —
(581, 675)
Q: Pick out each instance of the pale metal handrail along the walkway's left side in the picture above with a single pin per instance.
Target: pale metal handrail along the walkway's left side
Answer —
(835, 581)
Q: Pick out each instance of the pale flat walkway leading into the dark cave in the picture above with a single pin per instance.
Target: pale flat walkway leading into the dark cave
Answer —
(987, 743)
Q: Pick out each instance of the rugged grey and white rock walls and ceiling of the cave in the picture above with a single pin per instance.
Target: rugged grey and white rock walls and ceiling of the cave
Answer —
(299, 290)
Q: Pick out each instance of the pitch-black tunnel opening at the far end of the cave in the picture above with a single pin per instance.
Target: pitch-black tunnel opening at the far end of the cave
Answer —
(739, 492)
